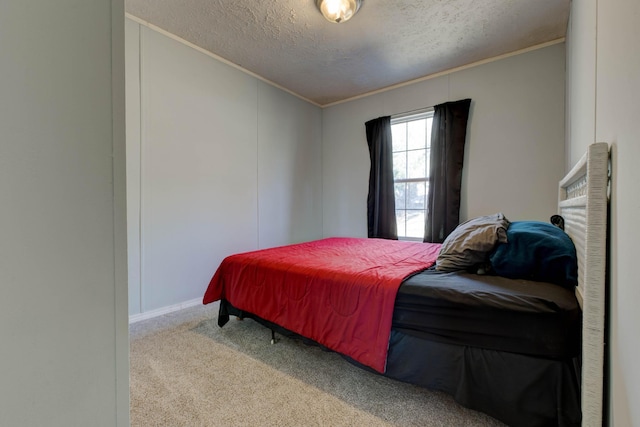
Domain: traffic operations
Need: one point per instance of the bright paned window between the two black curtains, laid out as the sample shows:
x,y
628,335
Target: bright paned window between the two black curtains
x,y
411,136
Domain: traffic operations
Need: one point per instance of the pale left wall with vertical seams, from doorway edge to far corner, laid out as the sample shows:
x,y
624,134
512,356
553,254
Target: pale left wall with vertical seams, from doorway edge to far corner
x,y
226,163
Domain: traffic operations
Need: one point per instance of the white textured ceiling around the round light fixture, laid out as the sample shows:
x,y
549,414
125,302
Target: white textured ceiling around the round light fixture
x,y
389,42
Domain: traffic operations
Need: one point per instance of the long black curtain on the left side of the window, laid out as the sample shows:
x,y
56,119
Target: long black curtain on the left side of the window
x,y
381,203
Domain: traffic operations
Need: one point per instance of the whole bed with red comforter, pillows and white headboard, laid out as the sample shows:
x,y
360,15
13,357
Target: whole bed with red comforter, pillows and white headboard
x,y
526,349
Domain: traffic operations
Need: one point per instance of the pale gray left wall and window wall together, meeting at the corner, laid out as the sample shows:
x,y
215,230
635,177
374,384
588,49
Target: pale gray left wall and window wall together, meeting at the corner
x,y
221,162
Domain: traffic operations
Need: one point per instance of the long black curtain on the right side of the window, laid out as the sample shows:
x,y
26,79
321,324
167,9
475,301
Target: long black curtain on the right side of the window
x,y
445,178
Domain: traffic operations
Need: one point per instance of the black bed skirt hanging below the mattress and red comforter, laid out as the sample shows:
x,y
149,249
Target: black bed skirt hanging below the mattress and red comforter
x,y
519,390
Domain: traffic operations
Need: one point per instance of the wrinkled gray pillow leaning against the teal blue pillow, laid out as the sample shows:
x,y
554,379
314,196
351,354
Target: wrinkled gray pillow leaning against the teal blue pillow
x,y
471,242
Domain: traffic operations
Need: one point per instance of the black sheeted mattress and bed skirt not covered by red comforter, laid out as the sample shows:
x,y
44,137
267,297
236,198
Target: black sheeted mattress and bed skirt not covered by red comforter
x,y
506,347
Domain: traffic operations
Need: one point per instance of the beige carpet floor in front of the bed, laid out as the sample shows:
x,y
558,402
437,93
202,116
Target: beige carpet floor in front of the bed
x,y
186,371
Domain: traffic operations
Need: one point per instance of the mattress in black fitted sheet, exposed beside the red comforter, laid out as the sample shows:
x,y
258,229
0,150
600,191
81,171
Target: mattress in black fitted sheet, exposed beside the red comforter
x,y
519,316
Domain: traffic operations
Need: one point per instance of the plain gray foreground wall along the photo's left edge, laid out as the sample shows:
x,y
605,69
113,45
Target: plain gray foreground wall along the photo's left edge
x,y
63,309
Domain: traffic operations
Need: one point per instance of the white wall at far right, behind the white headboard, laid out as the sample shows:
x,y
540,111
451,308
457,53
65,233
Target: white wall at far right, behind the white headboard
x,y
609,31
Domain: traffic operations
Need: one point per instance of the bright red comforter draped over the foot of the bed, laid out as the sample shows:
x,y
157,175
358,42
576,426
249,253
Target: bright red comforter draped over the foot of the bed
x,y
339,292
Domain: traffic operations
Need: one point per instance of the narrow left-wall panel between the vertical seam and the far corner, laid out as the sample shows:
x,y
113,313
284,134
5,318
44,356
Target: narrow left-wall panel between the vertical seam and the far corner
x,y
289,168
